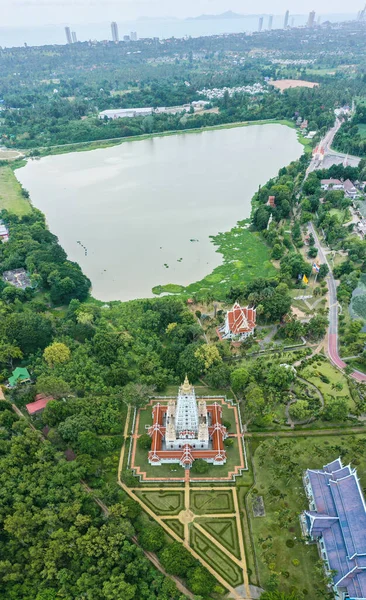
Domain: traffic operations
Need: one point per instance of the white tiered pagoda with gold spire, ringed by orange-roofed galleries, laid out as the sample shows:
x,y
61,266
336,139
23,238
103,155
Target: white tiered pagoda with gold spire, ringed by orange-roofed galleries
x,y
186,429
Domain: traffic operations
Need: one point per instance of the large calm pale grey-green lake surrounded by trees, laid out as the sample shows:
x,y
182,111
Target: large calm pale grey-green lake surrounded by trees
x,y
128,214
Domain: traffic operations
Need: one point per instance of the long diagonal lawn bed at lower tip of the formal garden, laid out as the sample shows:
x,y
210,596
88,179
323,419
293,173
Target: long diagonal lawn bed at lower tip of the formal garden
x,y
216,558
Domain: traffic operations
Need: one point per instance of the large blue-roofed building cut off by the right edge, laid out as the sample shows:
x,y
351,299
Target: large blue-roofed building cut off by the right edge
x,y
337,521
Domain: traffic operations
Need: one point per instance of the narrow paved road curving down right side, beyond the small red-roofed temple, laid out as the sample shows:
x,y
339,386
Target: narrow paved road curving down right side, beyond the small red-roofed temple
x,y
333,312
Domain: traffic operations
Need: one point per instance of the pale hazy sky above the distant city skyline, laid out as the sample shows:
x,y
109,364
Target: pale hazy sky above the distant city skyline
x,y
42,12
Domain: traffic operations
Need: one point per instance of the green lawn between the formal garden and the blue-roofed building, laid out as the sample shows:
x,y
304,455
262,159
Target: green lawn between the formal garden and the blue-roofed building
x,y
279,465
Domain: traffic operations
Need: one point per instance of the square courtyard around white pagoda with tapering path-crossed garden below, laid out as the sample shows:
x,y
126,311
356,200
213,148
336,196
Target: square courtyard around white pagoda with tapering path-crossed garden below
x,y
200,510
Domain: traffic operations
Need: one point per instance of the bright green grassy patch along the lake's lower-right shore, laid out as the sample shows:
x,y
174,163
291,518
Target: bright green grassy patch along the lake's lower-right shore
x,y
245,257
